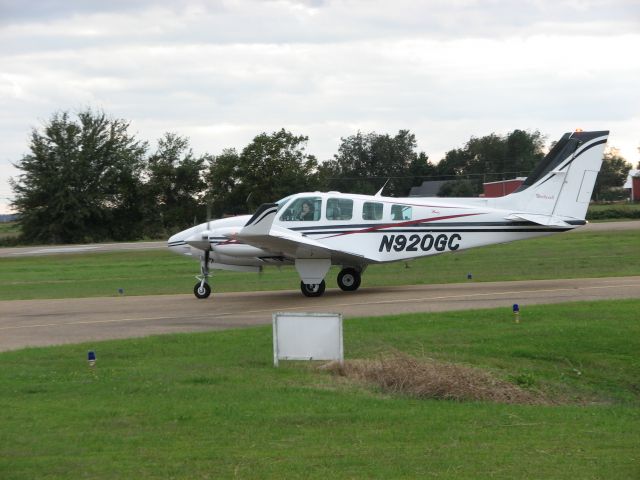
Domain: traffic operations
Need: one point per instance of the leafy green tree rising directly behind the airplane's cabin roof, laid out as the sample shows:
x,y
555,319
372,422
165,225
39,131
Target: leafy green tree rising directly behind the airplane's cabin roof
x,y
366,161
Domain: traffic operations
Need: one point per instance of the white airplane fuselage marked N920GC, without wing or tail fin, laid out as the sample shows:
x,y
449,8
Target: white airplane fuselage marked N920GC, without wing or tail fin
x,y
377,229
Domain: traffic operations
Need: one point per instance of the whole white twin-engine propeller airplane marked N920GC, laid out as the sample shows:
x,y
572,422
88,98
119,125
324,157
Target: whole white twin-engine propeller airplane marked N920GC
x,y
315,230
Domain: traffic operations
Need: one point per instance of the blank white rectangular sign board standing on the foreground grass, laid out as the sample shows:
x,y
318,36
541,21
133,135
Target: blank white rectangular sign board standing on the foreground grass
x,y
307,336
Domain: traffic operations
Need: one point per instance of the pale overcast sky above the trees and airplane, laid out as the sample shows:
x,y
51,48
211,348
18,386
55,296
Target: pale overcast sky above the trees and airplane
x,y
222,71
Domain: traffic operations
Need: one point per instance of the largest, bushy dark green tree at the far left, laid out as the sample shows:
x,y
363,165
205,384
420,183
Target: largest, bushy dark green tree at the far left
x,y
80,181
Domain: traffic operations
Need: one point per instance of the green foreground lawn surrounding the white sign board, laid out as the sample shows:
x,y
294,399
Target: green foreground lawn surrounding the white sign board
x,y
213,406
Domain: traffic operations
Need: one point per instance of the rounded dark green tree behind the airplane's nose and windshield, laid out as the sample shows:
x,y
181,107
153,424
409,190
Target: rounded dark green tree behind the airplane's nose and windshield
x,y
272,166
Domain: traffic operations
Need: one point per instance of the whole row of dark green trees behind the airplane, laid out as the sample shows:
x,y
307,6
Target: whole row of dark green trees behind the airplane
x,y
87,178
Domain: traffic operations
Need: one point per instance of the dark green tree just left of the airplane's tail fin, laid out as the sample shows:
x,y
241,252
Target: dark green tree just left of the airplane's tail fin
x,y
494,157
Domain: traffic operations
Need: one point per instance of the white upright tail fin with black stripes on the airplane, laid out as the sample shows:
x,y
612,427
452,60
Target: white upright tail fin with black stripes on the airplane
x,y
561,185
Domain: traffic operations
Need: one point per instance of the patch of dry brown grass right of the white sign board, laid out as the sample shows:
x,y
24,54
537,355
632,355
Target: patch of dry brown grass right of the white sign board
x,y
402,374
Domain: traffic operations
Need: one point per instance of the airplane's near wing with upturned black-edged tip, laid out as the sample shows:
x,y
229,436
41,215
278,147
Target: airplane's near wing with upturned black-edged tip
x,y
260,232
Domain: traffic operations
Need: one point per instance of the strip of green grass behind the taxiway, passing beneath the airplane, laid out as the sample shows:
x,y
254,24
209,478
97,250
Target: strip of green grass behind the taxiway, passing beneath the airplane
x,y
588,254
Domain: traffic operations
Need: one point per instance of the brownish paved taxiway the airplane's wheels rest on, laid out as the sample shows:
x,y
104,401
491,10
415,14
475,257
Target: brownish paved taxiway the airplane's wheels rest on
x,y
49,322
